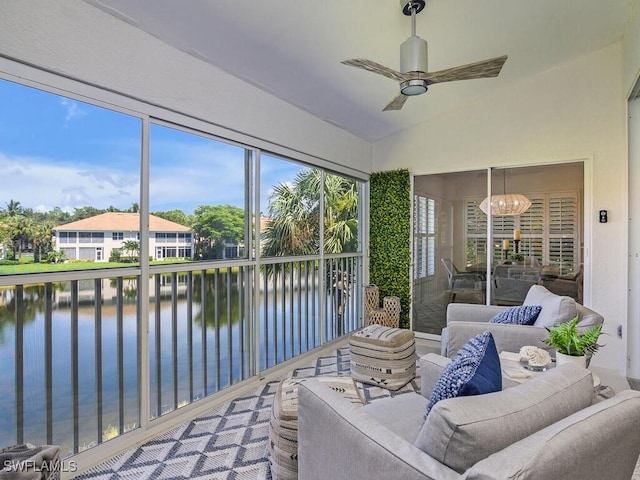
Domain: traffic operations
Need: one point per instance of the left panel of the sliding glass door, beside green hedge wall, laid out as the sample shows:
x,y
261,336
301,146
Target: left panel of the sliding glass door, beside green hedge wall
x,y
449,266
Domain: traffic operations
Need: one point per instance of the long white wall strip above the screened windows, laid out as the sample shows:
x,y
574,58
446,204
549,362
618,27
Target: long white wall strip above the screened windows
x,y
83,42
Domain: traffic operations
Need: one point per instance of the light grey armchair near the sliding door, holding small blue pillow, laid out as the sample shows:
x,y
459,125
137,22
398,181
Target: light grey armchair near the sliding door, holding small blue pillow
x,y
465,321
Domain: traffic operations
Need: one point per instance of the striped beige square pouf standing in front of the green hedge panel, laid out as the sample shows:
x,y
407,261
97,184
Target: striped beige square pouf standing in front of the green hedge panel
x,y
383,356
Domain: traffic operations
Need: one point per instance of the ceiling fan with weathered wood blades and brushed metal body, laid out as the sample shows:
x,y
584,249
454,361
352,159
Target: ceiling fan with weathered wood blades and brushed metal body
x,y
413,76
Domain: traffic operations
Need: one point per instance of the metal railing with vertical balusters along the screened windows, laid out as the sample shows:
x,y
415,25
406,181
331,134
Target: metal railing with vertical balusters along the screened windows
x,y
71,345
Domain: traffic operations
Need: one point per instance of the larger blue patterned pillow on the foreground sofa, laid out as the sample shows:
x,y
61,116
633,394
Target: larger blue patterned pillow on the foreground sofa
x,y
473,371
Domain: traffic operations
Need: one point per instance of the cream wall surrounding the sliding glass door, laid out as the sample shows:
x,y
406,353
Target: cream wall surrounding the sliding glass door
x,y
575,111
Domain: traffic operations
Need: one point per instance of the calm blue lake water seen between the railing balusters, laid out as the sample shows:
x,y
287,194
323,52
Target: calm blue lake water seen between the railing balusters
x,y
282,335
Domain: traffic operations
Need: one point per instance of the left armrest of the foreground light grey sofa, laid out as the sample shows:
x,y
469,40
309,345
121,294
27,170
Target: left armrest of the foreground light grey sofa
x,y
338,440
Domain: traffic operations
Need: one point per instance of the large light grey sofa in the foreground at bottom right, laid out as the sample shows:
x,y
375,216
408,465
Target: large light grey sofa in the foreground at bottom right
x,y
546,427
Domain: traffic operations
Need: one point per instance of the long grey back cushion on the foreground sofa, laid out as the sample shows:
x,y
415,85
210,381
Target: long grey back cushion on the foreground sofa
x,y
459,432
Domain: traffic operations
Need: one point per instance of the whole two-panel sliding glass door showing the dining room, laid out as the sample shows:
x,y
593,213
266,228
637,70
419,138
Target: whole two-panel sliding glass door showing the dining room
x,y
455,259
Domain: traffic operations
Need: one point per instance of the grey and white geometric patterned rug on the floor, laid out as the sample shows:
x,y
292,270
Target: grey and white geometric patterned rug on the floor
x,y
229,442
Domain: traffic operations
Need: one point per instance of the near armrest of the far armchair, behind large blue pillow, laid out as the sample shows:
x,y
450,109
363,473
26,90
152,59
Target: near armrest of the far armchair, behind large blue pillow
x,y
509,338
